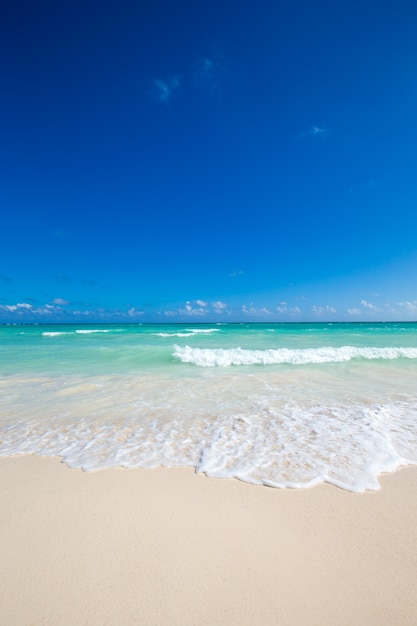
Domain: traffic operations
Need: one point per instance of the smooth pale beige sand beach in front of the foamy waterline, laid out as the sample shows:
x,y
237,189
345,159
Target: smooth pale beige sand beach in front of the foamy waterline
x,y
167,547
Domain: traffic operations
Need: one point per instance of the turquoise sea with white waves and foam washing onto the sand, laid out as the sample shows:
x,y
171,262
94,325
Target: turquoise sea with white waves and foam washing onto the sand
x,y
281,405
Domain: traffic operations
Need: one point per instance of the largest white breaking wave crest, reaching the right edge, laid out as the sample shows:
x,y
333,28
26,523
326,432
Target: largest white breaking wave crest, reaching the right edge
x,y
209,357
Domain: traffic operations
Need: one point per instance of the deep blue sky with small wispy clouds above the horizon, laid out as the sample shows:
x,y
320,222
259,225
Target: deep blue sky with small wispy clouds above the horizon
x,y
208,161
